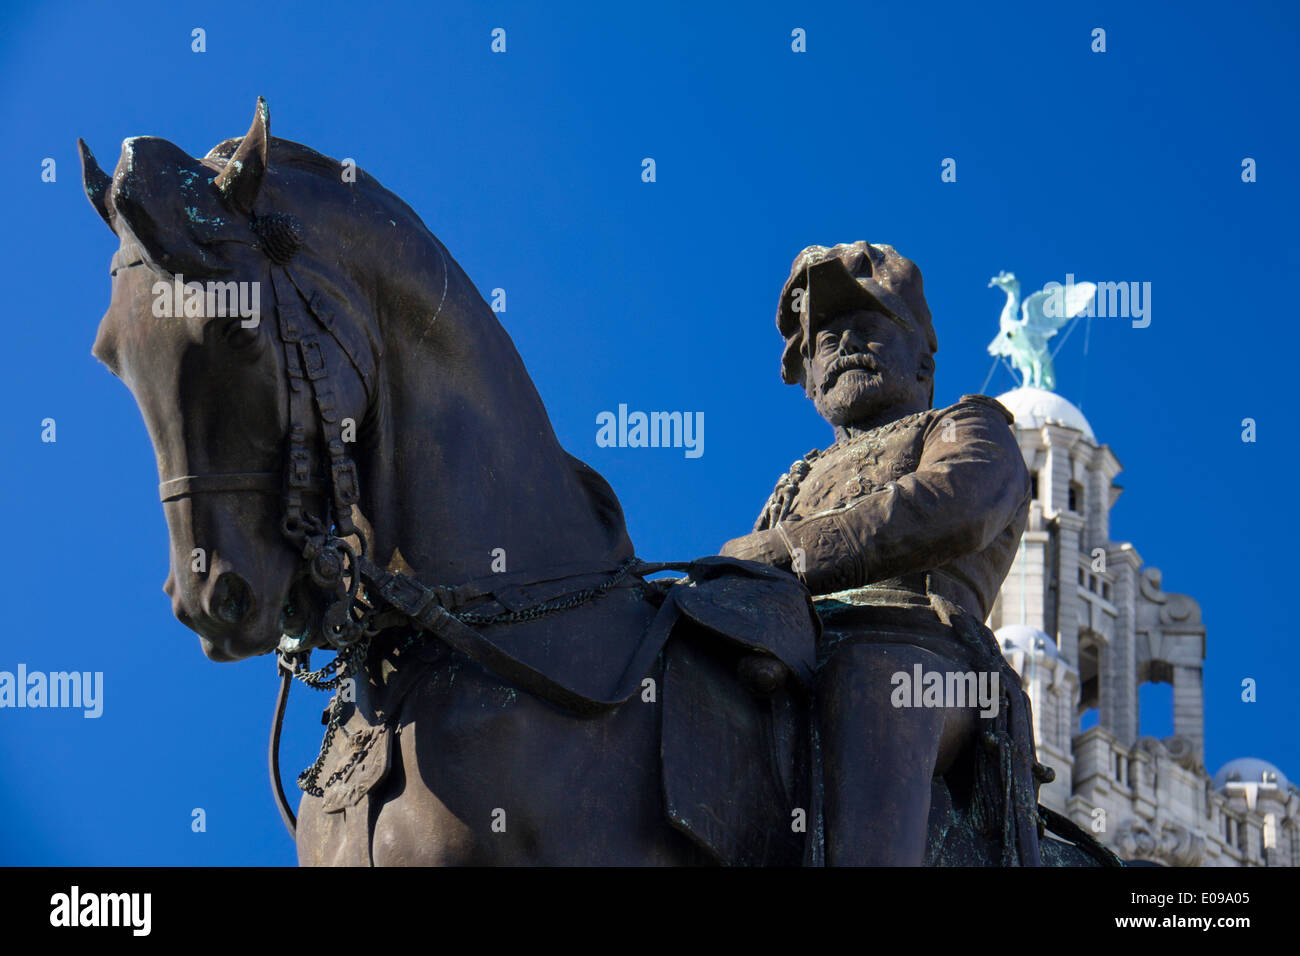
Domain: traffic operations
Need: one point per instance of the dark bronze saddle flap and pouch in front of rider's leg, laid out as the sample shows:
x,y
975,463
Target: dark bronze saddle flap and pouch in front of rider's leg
x,y
736,720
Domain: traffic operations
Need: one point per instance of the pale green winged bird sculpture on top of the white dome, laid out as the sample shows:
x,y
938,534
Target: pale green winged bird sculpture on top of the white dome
x,y
1025,341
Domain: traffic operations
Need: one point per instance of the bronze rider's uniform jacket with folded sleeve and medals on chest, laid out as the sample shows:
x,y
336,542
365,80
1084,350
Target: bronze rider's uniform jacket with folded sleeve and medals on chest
x,y
934,501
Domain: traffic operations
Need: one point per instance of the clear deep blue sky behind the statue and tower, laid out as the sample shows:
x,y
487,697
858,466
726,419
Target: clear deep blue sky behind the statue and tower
x,y
1121,166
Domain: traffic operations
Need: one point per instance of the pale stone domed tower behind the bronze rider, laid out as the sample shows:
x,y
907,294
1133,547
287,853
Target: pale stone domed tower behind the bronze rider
x,y
1085,624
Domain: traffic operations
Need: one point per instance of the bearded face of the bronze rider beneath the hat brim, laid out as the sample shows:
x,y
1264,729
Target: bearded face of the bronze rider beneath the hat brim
x,y
863,365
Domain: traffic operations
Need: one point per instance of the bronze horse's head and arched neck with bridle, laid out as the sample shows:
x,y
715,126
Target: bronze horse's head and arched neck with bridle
x,y
361,367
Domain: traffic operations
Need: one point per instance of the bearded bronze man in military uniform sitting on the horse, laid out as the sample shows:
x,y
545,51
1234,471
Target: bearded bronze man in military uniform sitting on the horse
x,y
904,531
